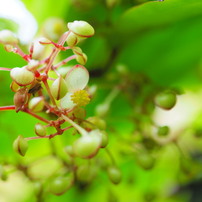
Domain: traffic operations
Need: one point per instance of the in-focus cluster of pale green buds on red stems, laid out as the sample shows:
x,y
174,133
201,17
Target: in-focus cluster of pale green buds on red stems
x,y
56,88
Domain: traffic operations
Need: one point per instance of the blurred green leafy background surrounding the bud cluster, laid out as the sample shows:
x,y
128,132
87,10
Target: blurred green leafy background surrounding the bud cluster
x,y
144,47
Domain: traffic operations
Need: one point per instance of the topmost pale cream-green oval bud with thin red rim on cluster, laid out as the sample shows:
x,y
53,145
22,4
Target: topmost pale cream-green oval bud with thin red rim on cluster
x,y
81,28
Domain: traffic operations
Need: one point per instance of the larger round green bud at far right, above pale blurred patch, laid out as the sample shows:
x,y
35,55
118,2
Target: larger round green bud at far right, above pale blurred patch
x,y
166,100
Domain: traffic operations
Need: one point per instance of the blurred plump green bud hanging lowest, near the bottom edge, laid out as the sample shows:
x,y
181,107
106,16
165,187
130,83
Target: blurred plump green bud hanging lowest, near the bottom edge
x,y
60,185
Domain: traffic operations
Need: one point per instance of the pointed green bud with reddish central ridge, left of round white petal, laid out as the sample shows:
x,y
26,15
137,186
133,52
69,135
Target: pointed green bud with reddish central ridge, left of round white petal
x,y
59,88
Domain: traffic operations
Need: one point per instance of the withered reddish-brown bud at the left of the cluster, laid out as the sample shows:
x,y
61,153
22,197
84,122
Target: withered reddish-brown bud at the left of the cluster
x,y
20,98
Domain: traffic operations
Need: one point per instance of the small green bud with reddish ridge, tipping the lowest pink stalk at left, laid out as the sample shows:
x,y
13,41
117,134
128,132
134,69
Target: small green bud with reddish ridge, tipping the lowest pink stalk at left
x,y
20,145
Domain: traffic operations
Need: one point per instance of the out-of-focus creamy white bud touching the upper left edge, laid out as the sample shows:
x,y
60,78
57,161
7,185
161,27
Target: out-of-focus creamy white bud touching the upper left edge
x,y
8,37
